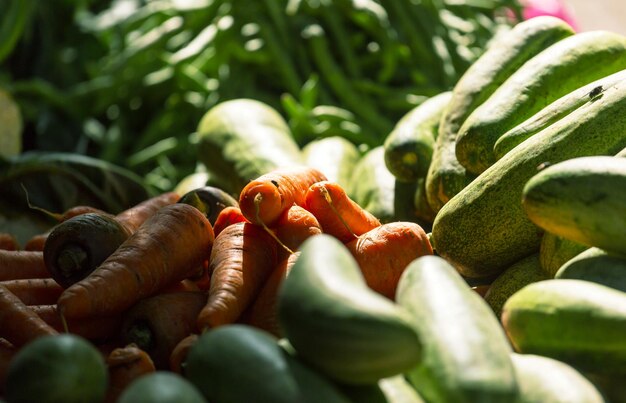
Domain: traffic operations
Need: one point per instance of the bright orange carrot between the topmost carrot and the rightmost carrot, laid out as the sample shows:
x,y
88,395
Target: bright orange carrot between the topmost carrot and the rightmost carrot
x,y
337,214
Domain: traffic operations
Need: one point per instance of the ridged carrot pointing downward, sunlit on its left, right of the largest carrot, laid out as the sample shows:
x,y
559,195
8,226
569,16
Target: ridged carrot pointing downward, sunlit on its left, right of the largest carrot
x,y
242,258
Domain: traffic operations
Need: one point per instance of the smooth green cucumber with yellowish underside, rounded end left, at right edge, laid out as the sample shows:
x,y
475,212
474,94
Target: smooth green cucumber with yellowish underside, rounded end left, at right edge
x,y
582,199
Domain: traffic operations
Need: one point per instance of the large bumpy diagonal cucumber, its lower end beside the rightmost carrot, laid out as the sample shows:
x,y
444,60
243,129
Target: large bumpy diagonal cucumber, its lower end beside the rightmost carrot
x,y
484,229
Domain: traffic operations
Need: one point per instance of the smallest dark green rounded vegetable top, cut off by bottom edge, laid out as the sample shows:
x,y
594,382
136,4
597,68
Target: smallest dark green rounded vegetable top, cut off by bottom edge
x,y
161,387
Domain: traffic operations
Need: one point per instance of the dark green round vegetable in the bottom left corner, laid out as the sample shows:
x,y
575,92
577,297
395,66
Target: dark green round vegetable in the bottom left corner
x,y
57,369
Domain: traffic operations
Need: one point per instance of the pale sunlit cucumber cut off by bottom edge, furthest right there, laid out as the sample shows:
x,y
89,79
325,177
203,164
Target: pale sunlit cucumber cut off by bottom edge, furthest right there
x,y
546,380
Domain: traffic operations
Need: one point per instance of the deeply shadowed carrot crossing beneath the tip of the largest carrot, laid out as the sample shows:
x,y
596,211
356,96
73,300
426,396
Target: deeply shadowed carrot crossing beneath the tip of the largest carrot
x,y
94,328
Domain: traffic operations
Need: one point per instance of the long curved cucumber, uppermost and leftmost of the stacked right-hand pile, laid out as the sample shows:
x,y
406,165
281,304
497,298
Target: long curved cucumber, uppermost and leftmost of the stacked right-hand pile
x,y
446,176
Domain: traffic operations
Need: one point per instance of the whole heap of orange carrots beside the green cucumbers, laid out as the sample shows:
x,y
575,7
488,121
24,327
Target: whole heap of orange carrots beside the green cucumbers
x,y
177,274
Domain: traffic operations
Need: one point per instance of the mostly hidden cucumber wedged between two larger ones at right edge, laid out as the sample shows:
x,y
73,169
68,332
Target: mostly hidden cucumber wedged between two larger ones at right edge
x,y
598,266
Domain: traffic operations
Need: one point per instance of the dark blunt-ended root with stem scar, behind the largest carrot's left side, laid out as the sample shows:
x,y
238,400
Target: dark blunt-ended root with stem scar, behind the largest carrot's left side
x,y
78,245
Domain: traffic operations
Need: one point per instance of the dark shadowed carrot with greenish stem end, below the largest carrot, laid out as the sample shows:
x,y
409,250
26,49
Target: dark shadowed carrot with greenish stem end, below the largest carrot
x,y
156,324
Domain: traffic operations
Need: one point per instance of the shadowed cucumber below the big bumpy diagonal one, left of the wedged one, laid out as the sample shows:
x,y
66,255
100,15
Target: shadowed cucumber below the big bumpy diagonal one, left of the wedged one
x,y
519,274
